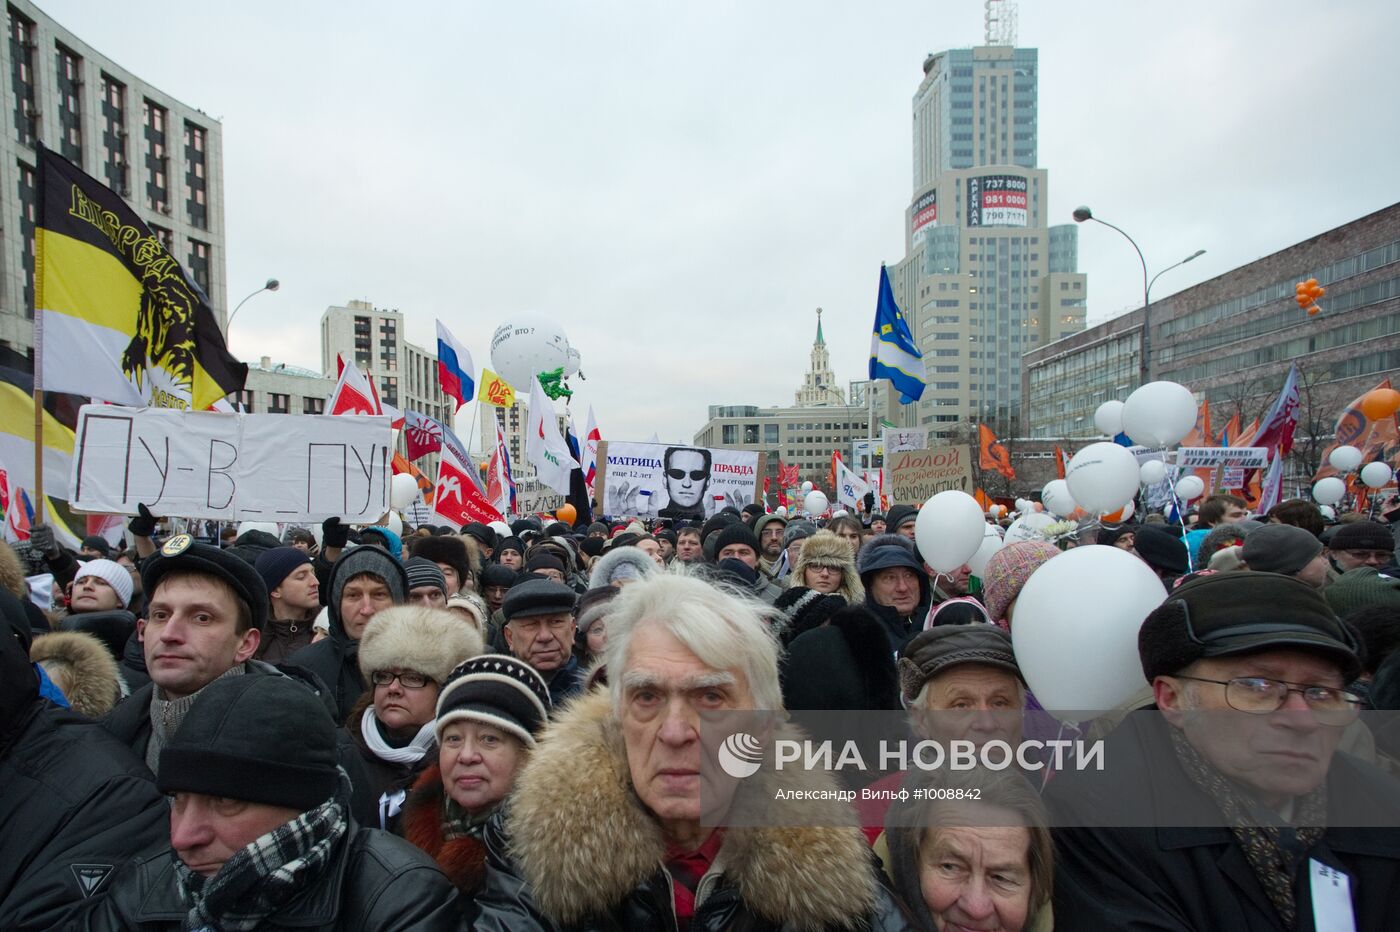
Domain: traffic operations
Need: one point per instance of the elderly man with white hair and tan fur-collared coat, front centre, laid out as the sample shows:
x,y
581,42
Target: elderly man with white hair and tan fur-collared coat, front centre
x,y
605,825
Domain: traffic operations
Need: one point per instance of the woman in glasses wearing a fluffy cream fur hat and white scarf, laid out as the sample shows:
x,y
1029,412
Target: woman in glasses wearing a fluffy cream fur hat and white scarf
x,y
405,656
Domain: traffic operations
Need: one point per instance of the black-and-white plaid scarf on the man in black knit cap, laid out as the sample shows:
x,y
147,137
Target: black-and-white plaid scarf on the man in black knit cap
x,y
269,873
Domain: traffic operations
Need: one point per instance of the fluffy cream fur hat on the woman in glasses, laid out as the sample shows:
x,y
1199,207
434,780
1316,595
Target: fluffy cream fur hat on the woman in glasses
x,y
411,637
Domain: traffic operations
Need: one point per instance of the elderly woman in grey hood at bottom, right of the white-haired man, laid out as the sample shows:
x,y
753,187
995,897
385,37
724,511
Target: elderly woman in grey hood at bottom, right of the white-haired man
x,y
972,866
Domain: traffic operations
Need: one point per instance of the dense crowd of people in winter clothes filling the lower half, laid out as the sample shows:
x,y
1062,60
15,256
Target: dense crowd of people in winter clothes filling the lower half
x,y
499,728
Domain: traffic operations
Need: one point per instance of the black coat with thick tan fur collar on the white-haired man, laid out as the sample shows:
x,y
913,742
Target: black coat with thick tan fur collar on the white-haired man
x,y
577,852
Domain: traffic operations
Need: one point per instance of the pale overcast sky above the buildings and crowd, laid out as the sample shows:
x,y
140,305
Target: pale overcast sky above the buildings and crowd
x,y
681,188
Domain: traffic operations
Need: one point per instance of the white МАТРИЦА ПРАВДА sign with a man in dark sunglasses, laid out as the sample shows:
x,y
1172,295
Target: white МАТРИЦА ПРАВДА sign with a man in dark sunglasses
x,y
656,481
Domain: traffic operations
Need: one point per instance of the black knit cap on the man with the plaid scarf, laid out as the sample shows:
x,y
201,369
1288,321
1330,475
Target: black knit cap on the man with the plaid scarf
x,y
257,738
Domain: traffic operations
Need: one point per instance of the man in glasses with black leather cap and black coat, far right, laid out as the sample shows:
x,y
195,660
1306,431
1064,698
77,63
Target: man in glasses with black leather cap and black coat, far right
x,y
1230,808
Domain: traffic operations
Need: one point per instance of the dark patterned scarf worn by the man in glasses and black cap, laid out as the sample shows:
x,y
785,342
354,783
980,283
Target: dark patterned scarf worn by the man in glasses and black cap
x,y
1272,847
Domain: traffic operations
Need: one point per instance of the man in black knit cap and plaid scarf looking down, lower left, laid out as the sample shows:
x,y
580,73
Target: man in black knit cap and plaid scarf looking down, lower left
x,y
261,833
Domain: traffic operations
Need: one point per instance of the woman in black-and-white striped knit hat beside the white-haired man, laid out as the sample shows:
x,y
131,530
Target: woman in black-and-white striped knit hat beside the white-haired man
x,y
488,719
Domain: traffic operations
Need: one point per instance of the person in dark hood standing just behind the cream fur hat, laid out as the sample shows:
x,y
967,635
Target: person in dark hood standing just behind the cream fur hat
x,y
363,583
